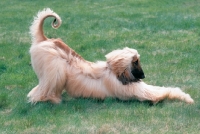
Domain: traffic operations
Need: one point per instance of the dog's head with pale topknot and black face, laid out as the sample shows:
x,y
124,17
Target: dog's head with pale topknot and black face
x,y
125,64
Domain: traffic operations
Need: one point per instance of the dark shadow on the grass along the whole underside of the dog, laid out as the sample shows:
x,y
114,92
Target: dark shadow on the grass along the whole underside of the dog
x,y
81,105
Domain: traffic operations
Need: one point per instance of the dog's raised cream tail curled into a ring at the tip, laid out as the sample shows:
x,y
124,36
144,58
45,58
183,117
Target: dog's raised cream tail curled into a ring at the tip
x,y
36,29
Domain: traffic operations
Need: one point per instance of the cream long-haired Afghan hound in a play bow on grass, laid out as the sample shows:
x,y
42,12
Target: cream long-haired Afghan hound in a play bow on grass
x,y
59,68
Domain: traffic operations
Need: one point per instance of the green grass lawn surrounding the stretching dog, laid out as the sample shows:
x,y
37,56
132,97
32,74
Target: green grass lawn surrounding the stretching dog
x,y
166,33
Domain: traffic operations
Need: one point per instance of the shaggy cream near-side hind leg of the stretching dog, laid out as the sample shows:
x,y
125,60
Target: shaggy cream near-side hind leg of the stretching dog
x,y
51,82
